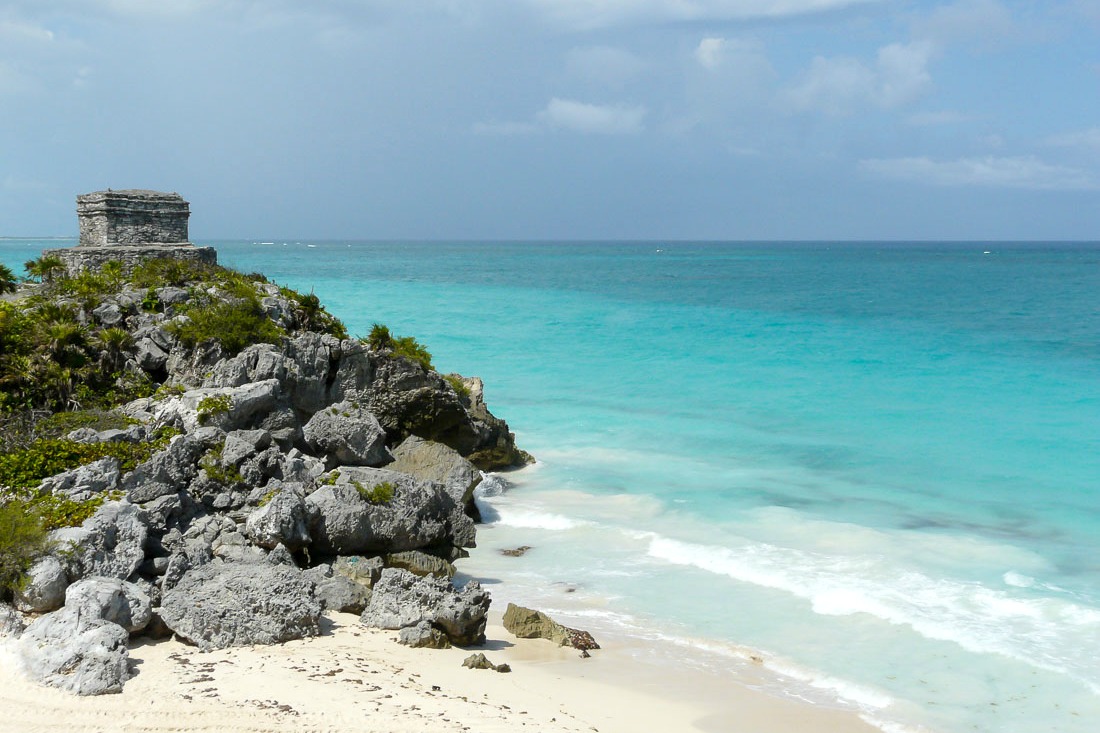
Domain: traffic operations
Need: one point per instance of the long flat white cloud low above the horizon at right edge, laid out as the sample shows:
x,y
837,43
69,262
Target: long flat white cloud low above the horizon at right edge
x,y
1026,173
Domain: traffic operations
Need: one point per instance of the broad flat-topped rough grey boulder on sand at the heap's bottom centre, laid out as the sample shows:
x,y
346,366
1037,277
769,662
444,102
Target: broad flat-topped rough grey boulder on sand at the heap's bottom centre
x,y
219,606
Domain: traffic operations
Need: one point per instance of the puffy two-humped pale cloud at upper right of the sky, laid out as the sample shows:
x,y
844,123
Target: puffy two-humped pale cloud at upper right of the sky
x,y
840,86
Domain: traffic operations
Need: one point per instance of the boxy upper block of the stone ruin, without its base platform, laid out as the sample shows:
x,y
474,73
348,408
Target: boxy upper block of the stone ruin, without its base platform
x,y
133,217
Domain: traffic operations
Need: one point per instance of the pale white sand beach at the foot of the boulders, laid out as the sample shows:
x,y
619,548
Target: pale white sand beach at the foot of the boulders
x,y
354,680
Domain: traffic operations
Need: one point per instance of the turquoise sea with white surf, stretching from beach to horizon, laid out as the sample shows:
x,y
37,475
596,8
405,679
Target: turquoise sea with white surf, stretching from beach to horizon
x,y
875,465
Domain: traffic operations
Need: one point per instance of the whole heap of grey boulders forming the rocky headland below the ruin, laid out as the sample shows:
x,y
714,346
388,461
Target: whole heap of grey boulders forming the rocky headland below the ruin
x,y
271,504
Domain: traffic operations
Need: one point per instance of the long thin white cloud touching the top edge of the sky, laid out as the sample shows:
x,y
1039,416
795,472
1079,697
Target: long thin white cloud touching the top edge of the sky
x,y
603,14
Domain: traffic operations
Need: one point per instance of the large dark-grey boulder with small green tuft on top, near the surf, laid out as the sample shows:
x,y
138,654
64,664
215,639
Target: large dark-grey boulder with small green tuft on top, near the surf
x,y
420,515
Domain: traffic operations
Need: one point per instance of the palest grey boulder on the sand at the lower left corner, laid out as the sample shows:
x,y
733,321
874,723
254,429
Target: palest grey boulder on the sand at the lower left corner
x,y
79,654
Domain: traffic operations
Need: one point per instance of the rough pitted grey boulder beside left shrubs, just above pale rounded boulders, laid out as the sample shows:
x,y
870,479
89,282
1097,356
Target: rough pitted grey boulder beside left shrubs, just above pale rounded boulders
x,y
111,543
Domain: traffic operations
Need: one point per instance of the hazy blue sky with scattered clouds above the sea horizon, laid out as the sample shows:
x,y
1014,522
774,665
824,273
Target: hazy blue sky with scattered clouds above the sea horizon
x,y
559,119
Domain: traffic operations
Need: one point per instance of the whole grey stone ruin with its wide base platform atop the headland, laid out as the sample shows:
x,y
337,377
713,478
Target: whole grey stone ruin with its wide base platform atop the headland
x,y
131,226
